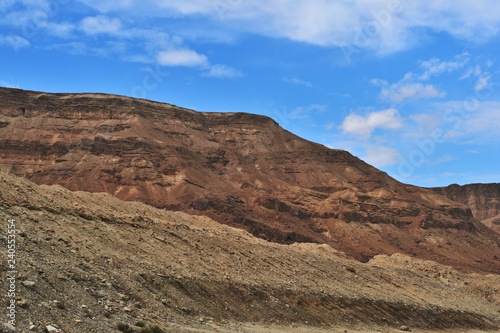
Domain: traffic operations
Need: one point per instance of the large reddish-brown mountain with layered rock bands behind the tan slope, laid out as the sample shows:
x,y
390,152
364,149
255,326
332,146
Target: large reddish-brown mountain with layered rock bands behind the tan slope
x,y
239,169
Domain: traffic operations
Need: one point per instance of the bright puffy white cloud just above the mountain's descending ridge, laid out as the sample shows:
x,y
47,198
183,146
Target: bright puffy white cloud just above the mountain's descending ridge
x,y
363,126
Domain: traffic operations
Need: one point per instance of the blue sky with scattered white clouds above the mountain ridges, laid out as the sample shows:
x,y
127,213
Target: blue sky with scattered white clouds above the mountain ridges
x,y
411,87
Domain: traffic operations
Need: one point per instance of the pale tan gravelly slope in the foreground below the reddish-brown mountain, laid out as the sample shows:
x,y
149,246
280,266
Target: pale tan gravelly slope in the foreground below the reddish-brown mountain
x,y
88,262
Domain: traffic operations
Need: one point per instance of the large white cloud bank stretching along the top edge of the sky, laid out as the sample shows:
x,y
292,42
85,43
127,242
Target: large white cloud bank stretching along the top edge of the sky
x,y
374,24
